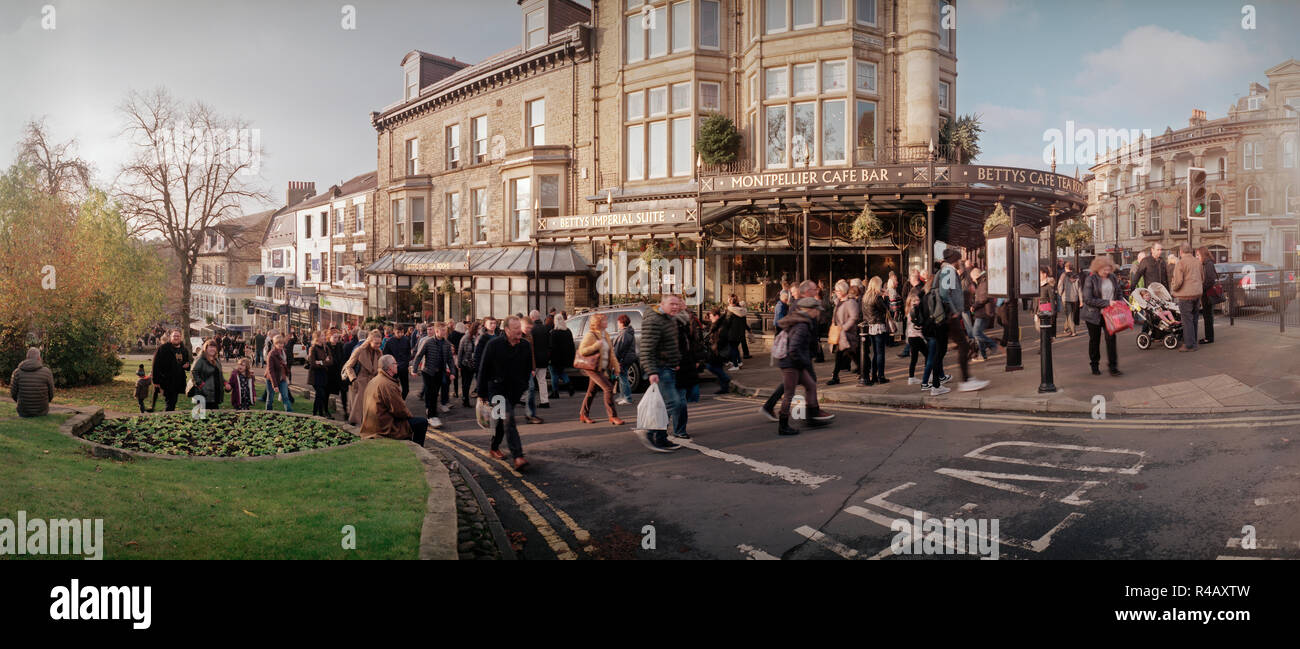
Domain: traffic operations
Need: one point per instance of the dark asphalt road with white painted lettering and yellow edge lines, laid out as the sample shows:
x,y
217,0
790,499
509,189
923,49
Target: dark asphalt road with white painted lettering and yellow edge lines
x,y
1059,488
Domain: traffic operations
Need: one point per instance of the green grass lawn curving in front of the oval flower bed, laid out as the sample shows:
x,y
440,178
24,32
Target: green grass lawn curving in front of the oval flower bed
x,y
153,509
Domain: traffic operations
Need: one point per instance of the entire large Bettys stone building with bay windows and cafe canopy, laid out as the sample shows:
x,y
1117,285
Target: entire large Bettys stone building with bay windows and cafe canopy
x,y
553,174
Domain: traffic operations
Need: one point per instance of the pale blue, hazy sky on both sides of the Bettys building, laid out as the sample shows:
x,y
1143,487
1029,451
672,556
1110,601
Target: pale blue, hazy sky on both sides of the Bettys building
x,y
291,68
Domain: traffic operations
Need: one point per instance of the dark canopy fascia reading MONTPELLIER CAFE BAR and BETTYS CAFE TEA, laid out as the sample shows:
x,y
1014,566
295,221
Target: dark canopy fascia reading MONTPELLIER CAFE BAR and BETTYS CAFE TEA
x,y
894,178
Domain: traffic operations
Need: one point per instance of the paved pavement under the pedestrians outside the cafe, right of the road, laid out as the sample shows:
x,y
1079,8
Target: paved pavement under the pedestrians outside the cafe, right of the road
x,y
1249,367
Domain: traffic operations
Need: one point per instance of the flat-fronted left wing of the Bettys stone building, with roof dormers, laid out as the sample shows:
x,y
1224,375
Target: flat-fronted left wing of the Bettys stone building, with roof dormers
x,y
470,161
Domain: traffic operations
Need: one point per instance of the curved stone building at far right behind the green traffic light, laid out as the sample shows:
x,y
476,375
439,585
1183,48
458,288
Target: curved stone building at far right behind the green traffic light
x,y
1139,194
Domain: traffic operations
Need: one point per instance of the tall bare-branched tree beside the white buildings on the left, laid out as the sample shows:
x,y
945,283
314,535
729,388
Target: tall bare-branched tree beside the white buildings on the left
x,y
192,170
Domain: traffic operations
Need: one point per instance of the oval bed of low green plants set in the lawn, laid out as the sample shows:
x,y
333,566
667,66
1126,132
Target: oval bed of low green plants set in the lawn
x,y
226,435
